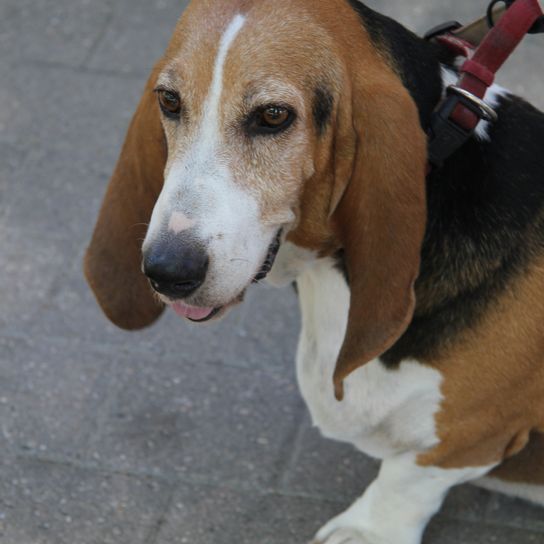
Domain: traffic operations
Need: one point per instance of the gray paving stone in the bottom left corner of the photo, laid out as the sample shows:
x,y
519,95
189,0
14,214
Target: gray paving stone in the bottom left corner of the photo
x,y
48,503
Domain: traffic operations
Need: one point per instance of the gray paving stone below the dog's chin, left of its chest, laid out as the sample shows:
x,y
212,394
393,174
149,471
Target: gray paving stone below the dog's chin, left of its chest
x,y
196,420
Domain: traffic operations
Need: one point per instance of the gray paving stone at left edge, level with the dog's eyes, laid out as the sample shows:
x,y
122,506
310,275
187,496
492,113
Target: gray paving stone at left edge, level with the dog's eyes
x,y
70,156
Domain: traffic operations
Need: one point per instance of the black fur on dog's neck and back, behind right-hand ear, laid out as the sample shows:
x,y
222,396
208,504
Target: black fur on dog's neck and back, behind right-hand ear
x,y
484,205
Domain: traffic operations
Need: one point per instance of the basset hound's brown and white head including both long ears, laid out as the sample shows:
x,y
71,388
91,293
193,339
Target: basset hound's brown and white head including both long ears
x,y
261,118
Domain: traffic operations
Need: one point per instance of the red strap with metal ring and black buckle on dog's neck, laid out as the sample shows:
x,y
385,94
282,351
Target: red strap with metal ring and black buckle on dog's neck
x,y
458,115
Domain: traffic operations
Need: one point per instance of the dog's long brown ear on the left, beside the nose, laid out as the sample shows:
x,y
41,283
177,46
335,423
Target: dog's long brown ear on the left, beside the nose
x,y
113,260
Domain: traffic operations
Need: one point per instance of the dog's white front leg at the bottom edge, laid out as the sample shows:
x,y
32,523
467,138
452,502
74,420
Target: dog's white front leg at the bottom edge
x,y
397,506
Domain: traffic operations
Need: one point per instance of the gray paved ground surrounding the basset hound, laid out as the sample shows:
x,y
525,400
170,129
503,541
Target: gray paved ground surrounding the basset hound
x,y
178,434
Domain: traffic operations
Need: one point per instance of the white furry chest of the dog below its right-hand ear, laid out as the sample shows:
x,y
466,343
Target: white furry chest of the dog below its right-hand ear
x,y
384,411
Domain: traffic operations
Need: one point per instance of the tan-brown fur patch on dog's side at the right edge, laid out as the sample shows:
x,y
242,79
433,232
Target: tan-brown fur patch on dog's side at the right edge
x,y
493,378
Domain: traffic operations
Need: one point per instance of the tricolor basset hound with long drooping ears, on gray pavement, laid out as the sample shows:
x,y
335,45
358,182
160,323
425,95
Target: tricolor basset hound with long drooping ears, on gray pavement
x,y
293,133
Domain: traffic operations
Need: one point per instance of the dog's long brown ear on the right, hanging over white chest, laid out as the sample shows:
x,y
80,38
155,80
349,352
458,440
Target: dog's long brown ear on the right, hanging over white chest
x,y
380,220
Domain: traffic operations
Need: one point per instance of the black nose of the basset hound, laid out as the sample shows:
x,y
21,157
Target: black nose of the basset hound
x,y
175,268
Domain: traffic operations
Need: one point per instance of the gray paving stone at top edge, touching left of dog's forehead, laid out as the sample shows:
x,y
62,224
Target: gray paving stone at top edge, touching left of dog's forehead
x,y
129,45
